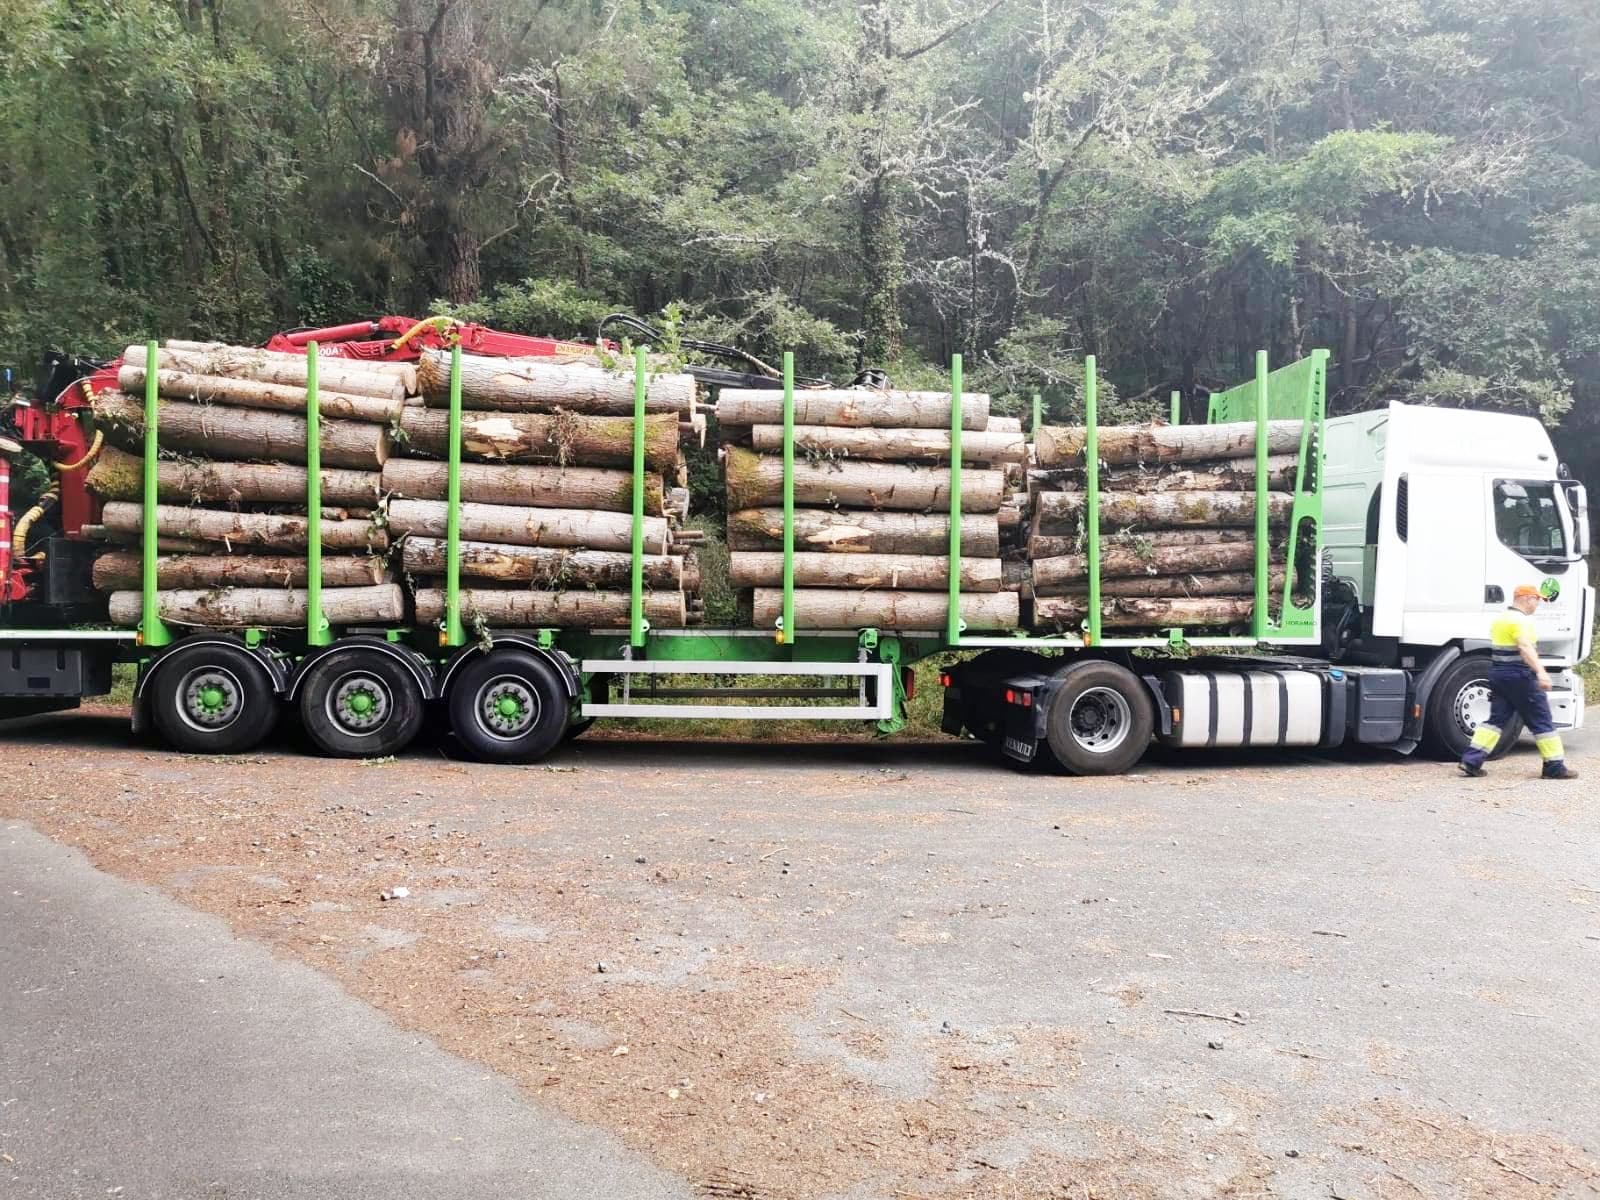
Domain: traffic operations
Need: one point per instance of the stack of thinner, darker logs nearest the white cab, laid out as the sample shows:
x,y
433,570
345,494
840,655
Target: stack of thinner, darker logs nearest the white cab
x,y
1177,516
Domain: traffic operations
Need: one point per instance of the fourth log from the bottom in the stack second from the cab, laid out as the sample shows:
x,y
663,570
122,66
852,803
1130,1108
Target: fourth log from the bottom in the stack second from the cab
x,y
759,479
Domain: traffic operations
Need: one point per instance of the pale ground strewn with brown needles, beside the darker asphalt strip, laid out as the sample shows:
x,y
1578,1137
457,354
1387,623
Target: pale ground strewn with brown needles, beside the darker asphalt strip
x,y
874,970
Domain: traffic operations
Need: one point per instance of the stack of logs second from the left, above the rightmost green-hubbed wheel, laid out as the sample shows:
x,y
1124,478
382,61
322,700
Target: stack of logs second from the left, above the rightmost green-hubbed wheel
x,y
546,495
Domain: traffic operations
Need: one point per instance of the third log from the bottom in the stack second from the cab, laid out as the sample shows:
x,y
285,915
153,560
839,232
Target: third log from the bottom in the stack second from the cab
x,y
863,532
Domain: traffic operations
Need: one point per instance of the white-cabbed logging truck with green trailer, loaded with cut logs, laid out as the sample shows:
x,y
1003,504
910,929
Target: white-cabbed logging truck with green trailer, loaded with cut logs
x,y
1364,562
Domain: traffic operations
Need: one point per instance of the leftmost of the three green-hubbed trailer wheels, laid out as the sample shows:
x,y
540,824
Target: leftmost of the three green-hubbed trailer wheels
x,y
214,700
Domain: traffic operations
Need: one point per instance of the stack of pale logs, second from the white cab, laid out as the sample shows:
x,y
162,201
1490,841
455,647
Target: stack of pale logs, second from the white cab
x,y
873,498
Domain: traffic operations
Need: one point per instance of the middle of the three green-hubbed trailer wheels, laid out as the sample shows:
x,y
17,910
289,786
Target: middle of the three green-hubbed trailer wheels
x,y
361,703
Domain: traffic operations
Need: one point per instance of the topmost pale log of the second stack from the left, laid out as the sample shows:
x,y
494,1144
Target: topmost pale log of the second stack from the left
x,y
519,385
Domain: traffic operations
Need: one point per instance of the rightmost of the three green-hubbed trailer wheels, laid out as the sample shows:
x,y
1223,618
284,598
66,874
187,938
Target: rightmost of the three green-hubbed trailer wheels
x,y
510,708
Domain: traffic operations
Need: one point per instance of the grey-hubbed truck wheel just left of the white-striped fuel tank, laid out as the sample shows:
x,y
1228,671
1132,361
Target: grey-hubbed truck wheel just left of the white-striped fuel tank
x,y
1100,719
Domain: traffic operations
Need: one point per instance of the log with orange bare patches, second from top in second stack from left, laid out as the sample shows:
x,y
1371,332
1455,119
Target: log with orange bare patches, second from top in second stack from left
x,y
545,438
